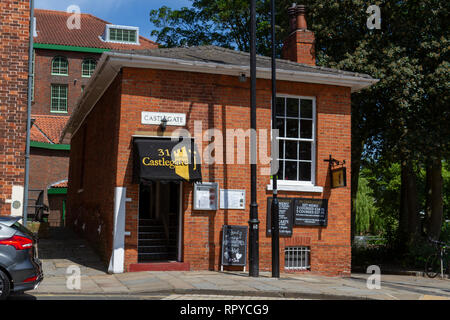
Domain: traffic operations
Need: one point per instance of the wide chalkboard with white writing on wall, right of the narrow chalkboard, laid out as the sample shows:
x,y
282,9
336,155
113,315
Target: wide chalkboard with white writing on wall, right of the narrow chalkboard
x,y
310,212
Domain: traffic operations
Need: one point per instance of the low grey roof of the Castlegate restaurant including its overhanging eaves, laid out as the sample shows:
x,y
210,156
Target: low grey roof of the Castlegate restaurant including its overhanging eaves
x,y
203,59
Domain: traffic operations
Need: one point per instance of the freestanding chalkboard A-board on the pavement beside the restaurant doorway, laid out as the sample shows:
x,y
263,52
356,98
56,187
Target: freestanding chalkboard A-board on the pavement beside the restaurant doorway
x,y
234,246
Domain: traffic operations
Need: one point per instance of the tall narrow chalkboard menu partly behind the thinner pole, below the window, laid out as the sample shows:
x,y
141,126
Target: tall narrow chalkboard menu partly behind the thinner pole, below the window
x,y
286,206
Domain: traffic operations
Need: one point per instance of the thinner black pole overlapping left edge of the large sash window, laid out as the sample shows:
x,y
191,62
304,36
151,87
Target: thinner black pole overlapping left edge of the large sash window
x,y
275,205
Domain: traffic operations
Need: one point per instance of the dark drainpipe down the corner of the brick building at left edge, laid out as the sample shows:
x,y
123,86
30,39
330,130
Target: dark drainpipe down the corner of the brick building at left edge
x,y
30,88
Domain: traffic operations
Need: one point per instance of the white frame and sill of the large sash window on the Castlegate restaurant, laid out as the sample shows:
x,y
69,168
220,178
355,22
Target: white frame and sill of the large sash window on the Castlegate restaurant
x,y
302,186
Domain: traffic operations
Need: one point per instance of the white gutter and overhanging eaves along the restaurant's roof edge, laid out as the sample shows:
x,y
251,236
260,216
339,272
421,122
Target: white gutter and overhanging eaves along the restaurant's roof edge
x,y
104,76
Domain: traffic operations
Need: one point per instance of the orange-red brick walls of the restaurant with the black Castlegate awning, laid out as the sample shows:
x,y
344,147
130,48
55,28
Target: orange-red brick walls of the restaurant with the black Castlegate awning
x,y
223,102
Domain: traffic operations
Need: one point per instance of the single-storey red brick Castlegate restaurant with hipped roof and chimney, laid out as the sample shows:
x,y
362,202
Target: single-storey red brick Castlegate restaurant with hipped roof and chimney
x,y
139,208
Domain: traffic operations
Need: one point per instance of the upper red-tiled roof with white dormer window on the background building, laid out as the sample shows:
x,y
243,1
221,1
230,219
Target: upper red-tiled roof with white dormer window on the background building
x,y
51,27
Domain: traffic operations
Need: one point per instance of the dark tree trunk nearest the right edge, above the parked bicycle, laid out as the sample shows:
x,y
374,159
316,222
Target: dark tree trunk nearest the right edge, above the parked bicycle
x,y
437,208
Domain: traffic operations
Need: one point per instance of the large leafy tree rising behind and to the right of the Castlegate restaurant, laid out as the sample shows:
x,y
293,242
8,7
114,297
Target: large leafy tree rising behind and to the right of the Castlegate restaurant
x,y
403,119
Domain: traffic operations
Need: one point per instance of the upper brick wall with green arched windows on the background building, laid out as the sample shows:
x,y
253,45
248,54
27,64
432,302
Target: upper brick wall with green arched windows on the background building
x,y
44,78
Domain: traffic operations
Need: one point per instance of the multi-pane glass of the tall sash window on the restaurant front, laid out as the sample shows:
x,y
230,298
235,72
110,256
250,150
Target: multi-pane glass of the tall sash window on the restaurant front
x,y
295,118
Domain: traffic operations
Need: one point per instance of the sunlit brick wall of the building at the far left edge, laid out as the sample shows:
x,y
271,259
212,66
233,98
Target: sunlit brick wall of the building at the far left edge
x,y
14,35
